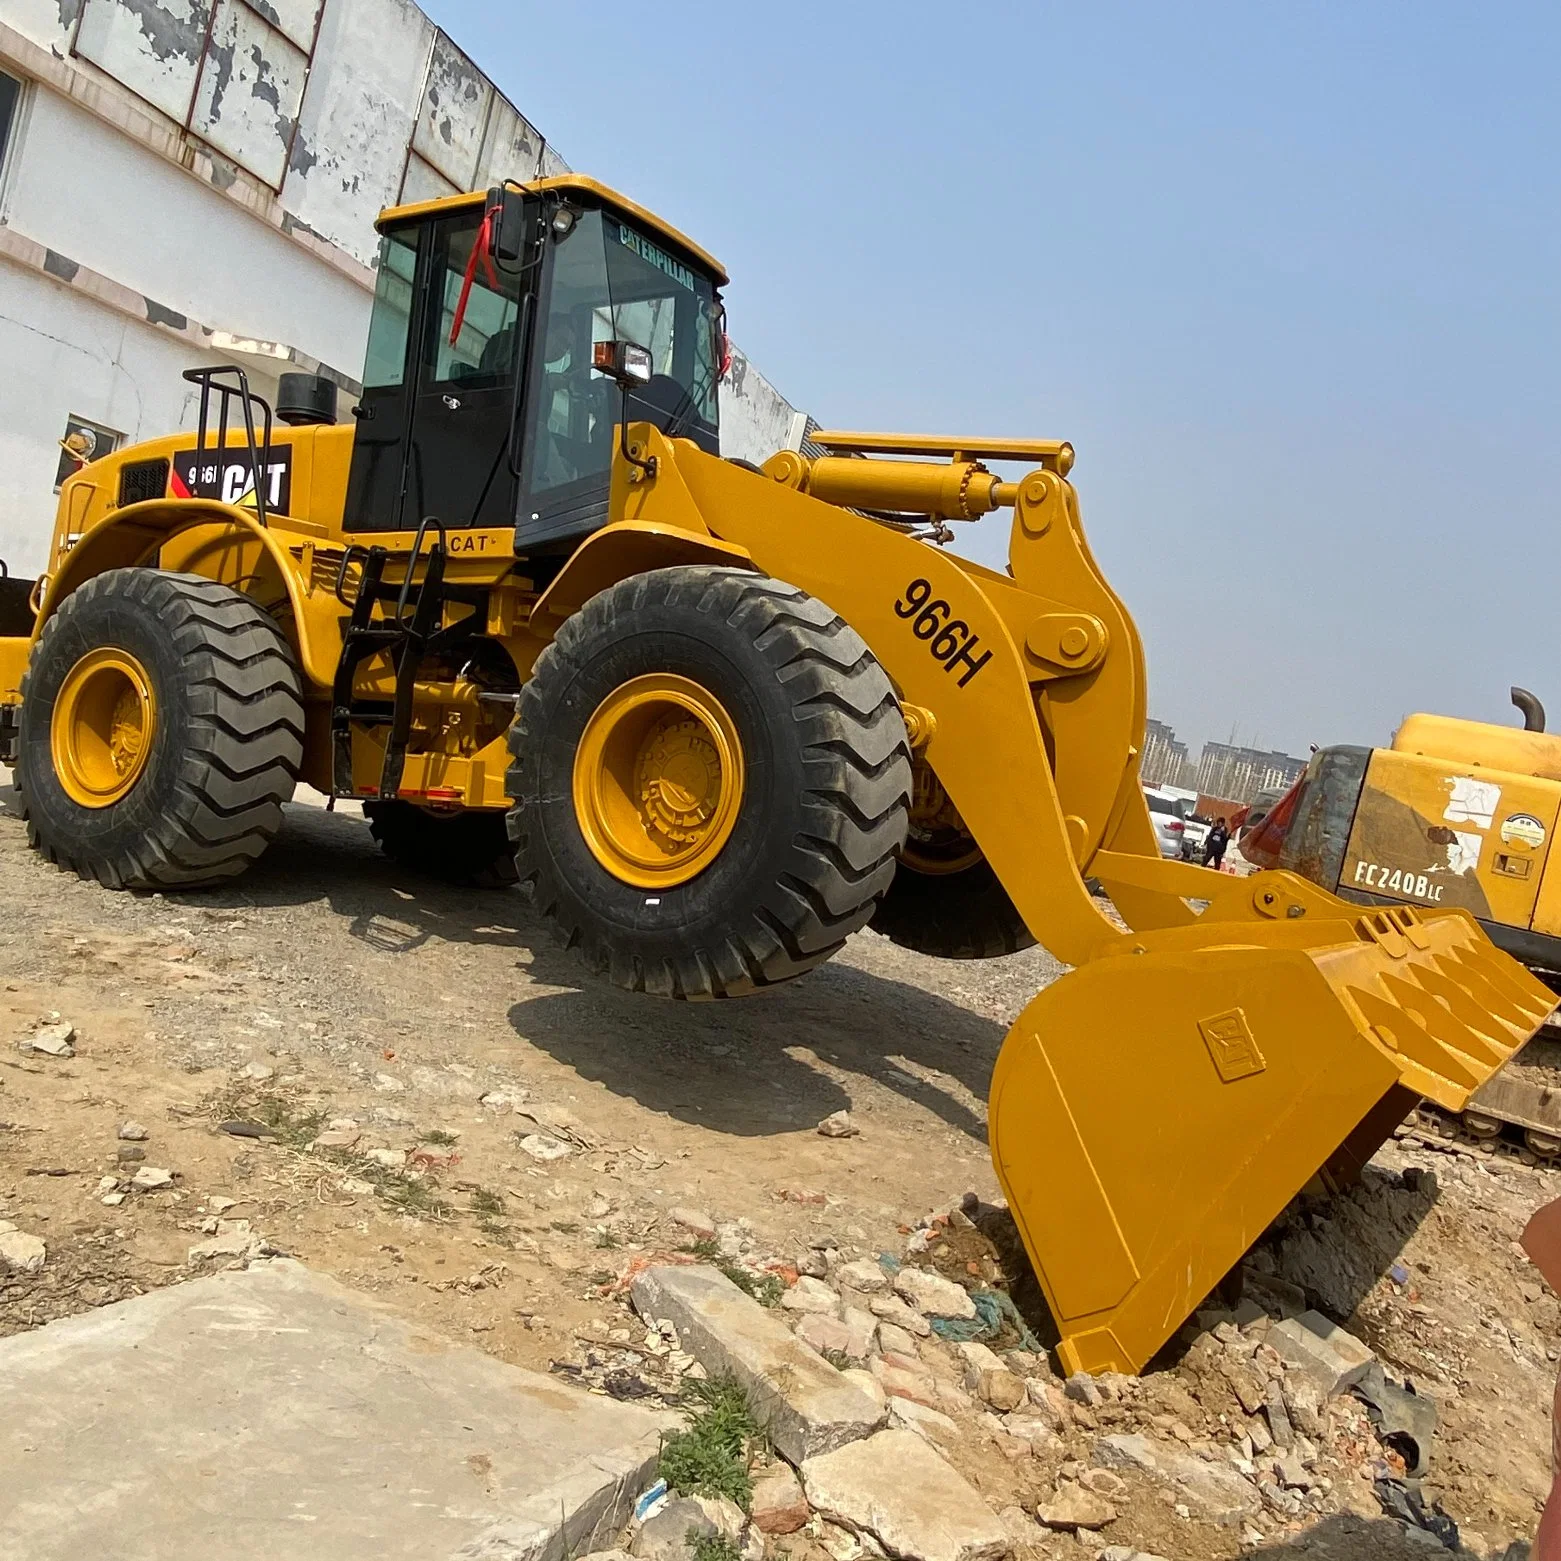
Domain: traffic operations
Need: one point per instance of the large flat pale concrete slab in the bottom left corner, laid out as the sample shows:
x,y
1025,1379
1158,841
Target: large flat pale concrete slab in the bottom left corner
x,y
274,1412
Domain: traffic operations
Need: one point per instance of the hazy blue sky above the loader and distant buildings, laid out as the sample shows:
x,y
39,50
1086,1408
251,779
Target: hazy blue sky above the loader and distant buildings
x,y
1285,276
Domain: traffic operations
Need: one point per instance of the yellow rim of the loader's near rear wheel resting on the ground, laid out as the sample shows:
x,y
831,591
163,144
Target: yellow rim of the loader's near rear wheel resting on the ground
x,y
101,734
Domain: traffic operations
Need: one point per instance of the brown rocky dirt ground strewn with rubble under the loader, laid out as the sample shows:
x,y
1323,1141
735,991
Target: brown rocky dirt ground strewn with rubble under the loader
x,y
408,1087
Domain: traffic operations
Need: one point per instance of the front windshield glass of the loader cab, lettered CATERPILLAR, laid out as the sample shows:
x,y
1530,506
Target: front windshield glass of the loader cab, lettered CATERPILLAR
x,y
613,283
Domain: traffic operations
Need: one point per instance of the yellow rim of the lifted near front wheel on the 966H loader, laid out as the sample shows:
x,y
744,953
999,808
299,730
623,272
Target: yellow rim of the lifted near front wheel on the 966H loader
x,y
658,781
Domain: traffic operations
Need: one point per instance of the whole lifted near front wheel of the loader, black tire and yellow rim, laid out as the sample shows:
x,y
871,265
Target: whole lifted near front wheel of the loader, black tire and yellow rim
x,y
713,783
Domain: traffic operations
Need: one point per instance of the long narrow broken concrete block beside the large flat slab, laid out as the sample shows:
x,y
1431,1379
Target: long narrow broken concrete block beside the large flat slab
x,y
802,1401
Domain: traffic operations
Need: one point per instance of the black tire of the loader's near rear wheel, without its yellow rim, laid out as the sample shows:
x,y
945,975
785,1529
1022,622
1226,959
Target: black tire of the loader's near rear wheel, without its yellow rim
x,y
226,748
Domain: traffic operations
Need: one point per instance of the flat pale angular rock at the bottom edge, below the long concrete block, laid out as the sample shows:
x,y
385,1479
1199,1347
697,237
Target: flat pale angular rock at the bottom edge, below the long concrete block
x,y
898,1490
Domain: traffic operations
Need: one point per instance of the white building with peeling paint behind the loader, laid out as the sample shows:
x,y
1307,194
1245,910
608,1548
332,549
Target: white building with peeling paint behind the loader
x,y
194,182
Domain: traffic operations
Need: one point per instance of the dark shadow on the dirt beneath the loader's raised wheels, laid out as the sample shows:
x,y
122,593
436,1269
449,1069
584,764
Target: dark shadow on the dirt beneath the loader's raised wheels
x,y
772,1064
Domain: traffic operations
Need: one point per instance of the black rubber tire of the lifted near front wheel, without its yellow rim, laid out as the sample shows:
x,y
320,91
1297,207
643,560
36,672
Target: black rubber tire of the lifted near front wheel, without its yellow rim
x,y
823,811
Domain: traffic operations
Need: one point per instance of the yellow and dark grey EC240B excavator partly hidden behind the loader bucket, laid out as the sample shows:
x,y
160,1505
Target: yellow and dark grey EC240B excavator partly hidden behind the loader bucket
x,y
1451,814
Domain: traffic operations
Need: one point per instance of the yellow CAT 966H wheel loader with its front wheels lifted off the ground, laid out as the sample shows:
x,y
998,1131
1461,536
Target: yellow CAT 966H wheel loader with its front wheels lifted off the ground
x,y
730,717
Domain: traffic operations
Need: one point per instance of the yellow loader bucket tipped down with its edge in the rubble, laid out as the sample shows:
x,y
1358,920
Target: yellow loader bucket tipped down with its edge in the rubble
x,y
1153,1112
